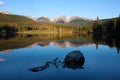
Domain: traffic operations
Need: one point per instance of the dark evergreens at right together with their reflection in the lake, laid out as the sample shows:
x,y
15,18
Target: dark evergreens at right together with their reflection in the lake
x,y
107,32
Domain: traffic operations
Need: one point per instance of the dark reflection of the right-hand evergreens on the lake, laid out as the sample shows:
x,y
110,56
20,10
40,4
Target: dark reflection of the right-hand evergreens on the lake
x,y
109,40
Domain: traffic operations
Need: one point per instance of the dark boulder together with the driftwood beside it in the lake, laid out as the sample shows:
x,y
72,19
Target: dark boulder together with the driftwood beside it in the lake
x,y
73,60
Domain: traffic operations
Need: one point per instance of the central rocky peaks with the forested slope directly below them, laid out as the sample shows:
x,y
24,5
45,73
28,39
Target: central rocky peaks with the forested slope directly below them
x,y
75,20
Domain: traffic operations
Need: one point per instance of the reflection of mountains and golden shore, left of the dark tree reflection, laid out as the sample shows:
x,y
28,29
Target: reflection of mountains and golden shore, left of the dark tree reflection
x,y
44,40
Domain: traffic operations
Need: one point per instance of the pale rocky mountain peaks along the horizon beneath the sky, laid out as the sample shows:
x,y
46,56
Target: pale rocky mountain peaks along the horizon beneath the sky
x,y
60,19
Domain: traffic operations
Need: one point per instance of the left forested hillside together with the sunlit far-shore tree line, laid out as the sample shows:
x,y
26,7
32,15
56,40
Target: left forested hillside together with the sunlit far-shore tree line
x,y
20,24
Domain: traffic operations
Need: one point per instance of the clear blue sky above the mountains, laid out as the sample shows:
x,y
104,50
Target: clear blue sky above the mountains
x,y
55,8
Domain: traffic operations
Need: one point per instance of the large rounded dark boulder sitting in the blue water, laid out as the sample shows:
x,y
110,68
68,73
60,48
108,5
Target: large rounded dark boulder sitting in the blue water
x,y
74,60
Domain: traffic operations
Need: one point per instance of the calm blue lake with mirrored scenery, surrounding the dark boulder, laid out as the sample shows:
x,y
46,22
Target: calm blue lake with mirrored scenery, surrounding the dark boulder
x,y
22,56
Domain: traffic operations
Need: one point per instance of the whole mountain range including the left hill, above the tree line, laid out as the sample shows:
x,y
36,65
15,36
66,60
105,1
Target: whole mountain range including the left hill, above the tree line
x,y
8,17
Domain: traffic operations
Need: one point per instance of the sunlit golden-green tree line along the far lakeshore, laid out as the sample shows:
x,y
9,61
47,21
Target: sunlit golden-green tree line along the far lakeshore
x,y
42,26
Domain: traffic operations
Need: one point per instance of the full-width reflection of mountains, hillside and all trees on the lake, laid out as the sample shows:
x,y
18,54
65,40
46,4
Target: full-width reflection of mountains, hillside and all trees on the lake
x,y
75,40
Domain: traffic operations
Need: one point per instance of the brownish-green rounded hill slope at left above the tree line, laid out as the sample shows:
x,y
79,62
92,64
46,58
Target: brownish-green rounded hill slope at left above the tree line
x,y
10,18
